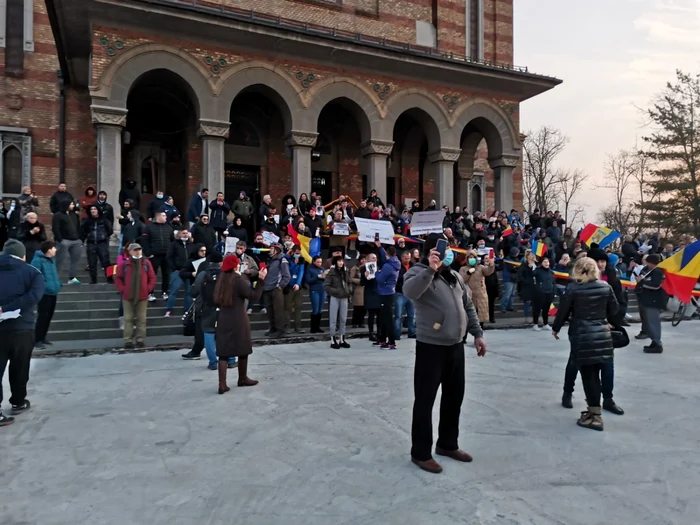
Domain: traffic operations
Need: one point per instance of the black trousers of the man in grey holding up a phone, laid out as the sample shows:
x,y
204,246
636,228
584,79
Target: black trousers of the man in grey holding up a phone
x,y
435,366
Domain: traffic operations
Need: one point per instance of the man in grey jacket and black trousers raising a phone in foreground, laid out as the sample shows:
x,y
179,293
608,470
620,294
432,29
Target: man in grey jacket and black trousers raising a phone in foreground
x,y
444,316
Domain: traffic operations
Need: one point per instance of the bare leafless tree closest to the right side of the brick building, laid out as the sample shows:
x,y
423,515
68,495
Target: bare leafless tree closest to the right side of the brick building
x,y
540,180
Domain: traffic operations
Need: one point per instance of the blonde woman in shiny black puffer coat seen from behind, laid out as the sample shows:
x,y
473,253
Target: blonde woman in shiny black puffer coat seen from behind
x,y
589,305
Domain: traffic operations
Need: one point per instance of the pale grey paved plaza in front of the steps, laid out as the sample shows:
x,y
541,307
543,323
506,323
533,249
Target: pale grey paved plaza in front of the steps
x,y
324,439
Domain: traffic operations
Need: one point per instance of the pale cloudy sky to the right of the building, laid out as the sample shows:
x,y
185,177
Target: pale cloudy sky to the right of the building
x,y
613,56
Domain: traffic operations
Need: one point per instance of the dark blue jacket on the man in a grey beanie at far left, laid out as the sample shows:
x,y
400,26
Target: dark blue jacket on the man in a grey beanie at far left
x,y
21,288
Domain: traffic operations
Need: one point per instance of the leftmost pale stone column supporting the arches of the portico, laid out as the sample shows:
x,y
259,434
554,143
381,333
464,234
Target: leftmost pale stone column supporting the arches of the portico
x,y
109,123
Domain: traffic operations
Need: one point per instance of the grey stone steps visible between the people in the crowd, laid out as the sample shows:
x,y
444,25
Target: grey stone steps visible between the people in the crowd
x,y
91,311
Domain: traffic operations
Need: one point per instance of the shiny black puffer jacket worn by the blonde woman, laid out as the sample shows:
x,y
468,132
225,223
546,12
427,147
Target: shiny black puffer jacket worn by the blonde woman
x,y
589,307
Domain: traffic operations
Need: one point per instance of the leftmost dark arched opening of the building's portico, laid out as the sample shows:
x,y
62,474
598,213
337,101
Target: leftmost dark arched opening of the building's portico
x,y
161,149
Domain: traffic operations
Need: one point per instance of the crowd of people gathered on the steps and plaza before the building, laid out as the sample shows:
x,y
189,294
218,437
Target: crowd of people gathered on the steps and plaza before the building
x,y
229,259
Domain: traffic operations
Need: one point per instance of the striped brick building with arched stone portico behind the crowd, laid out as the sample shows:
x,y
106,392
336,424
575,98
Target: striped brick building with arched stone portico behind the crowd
x,y
417,99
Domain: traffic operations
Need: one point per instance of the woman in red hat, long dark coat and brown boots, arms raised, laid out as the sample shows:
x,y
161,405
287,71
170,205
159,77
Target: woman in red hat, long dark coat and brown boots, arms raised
x,y
233,337
